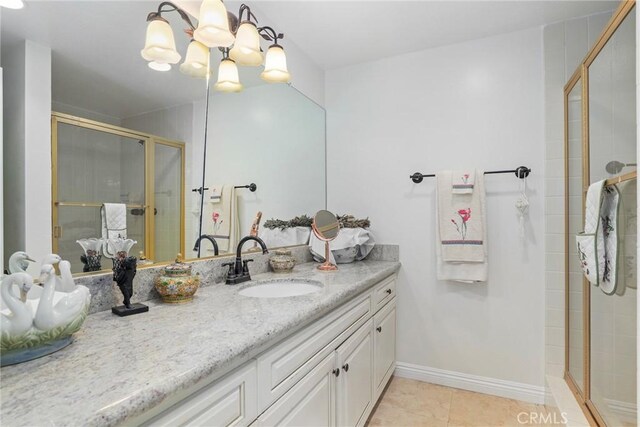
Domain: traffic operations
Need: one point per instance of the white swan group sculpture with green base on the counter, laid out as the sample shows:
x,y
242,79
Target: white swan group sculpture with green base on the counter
x,y
45,322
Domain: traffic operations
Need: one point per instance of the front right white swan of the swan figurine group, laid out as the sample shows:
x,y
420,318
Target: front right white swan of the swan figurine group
x,y
69,307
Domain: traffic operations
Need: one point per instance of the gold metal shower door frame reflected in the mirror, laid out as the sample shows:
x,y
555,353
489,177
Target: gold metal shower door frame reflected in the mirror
x,y
149,168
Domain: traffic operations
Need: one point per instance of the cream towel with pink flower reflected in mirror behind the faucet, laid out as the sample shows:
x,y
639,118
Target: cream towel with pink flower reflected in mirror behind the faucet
x,y
221,219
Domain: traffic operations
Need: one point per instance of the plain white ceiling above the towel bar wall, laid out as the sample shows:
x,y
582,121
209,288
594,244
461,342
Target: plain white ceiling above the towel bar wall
x,y
340,33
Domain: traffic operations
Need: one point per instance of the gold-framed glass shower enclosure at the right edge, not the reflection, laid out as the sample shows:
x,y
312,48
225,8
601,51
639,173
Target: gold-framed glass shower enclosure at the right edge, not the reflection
x,y
601,329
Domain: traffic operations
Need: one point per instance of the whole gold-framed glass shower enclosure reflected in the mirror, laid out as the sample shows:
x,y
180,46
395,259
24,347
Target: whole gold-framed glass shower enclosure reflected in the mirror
x,y
96,163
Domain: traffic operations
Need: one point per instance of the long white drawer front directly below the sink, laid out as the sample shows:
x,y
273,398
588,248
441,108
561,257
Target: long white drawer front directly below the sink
x,y
285,364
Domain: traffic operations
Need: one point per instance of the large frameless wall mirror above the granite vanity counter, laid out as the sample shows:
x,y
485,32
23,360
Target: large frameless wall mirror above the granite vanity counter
x,y
126,134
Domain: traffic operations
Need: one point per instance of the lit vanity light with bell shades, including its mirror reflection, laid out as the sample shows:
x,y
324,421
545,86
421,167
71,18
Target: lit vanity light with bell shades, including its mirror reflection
x,y
217,28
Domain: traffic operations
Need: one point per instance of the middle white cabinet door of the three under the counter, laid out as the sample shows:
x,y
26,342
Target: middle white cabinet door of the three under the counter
x,y
354,391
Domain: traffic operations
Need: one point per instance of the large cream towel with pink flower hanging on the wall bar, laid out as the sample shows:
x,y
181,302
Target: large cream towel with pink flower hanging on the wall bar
x,y
461,220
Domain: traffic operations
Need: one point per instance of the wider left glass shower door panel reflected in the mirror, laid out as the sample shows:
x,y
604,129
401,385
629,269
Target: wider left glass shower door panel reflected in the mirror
x,y
94,165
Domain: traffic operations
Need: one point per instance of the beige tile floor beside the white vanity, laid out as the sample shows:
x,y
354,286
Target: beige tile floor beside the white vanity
x,y
413,403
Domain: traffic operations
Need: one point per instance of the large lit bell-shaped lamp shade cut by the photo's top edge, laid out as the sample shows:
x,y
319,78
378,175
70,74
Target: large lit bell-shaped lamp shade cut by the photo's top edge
x,y
213,25
